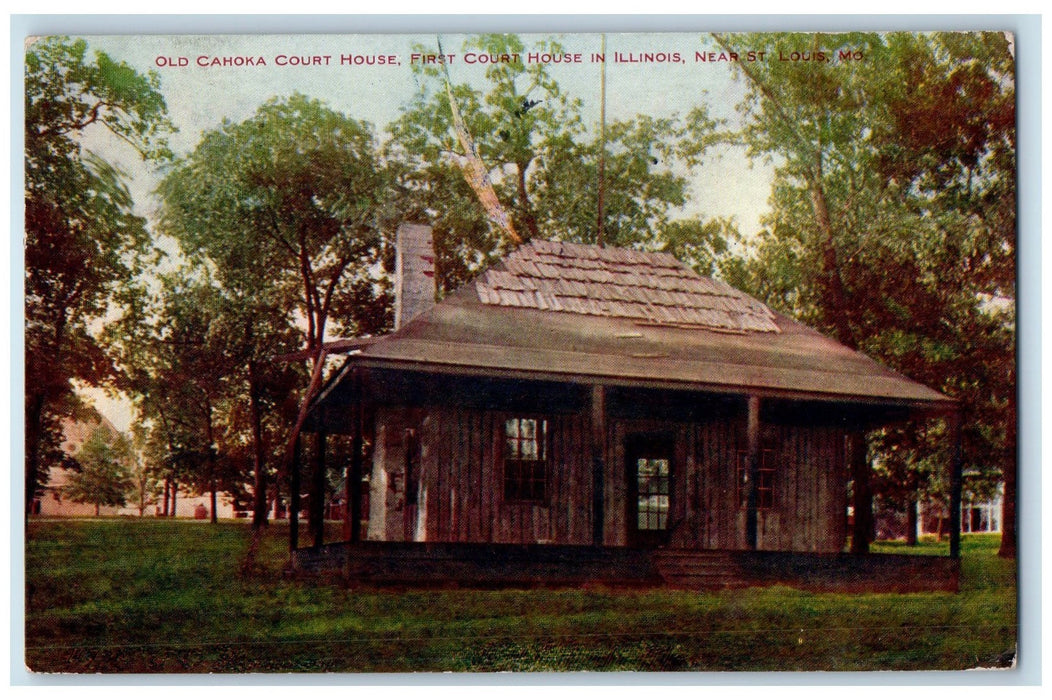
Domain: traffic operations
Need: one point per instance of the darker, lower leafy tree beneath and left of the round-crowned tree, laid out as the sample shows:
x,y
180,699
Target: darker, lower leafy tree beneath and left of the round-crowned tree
x,y
198,362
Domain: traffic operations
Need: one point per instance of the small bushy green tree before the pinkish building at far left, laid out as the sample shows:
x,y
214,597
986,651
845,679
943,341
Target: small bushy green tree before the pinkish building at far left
x,y
106,476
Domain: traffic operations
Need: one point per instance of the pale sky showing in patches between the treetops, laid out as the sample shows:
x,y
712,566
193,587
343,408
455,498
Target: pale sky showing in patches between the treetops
x,y
209,78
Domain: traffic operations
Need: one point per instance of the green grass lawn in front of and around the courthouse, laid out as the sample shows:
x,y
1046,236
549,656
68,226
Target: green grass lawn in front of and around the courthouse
x,y
153,596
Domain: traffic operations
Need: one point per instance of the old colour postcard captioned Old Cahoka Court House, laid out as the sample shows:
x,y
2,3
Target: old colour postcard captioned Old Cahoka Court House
x,y
521,352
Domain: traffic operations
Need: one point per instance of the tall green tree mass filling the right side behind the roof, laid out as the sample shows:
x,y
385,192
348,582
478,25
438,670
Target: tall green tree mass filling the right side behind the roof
x,y
893,223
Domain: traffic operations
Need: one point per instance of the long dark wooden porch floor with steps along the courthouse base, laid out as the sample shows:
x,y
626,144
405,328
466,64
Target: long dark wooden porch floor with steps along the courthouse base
x,y
497,566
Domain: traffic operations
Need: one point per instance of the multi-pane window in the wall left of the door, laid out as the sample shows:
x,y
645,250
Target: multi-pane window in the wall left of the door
x,y
527,473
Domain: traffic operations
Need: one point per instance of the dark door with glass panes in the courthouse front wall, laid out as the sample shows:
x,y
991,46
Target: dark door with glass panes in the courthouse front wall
x,y
650,468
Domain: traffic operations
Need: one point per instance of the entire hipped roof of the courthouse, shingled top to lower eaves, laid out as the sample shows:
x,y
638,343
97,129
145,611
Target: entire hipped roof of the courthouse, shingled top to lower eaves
x,y
592,315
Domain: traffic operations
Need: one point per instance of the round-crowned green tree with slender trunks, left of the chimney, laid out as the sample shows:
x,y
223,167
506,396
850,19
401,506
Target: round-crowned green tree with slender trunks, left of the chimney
x,y
296,191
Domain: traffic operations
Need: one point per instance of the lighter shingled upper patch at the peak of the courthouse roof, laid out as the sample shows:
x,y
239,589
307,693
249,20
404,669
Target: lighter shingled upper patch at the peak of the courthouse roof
x,y
620,284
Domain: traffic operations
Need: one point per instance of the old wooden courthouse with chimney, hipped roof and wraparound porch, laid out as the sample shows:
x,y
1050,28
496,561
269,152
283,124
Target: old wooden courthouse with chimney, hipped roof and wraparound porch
x,y
582,414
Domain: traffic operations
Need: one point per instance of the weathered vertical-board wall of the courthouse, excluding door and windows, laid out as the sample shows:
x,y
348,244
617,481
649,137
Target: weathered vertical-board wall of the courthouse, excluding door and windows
x,y
461,488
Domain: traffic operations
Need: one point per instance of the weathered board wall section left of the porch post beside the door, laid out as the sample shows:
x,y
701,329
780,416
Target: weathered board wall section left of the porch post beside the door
x,y
461,482
